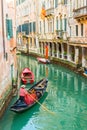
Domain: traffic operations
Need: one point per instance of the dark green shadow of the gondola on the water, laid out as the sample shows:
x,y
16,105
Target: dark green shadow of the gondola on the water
x,y
22,119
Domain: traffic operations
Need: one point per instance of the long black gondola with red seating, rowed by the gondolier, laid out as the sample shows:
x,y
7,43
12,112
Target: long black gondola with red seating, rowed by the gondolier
x,y
39,88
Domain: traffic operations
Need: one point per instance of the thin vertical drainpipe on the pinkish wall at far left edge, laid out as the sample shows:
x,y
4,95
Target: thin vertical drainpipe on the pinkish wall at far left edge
x,y
2,13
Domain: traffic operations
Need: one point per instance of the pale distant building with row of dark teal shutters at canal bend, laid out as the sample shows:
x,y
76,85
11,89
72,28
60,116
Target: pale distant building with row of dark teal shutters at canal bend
x,y
26,22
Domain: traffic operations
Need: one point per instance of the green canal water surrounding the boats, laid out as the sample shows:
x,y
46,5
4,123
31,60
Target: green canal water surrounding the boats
x,y
65,101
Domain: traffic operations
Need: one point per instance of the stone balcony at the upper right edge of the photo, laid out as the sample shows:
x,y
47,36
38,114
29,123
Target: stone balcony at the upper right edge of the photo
x,y
80,13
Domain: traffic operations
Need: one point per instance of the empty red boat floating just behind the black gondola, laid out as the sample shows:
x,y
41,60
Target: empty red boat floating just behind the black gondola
x,y
27,76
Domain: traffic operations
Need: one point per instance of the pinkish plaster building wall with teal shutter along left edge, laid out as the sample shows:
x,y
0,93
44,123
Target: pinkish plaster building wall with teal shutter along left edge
x,y
6,57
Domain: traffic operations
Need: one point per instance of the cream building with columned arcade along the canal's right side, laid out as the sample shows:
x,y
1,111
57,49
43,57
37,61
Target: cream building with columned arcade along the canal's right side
x,y
65,32
